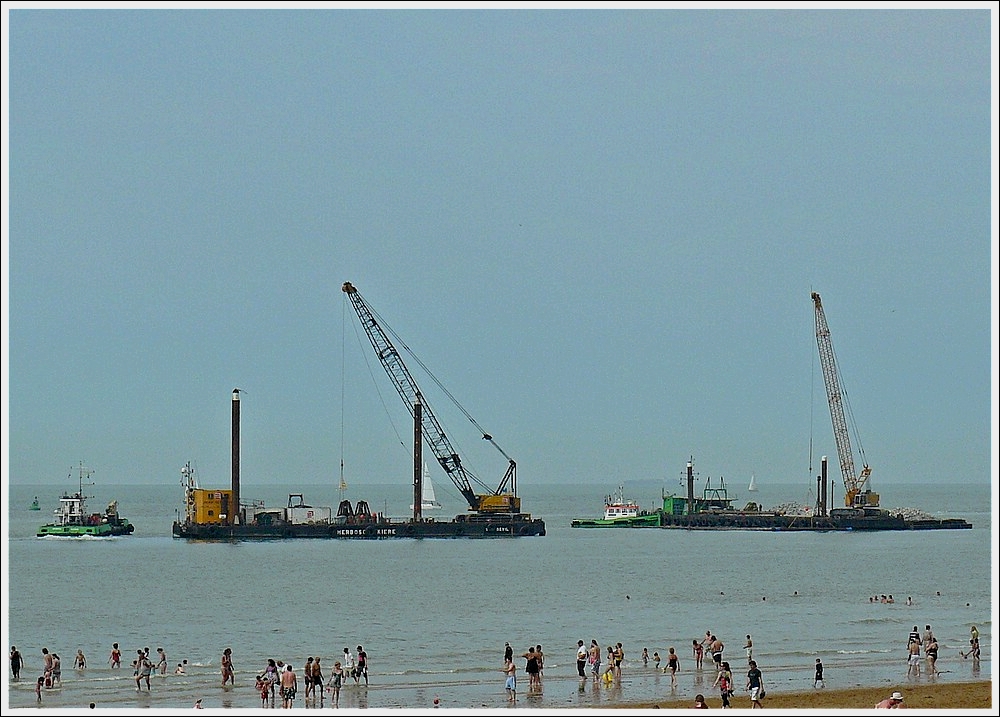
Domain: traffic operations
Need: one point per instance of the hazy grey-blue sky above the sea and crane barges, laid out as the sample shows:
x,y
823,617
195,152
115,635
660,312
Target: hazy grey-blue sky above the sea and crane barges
x,y
599,229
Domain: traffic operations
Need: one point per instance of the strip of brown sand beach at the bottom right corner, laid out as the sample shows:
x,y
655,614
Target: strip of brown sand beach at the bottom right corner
x,y
951,695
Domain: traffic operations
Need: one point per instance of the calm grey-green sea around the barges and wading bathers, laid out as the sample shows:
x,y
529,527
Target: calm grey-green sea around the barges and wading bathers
x,y
433,615
